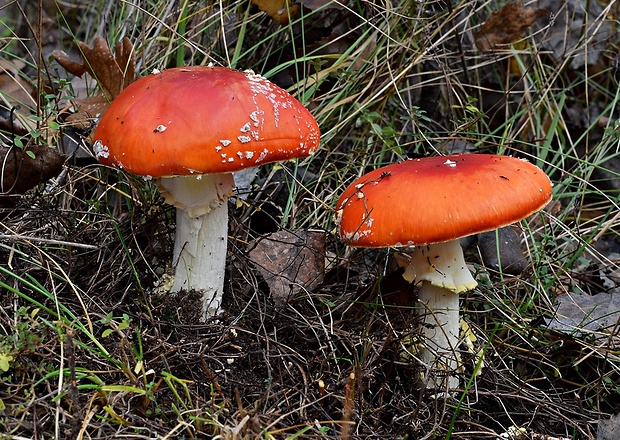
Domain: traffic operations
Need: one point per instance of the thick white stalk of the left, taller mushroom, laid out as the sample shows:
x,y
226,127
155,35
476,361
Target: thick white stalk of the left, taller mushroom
x,y
201,234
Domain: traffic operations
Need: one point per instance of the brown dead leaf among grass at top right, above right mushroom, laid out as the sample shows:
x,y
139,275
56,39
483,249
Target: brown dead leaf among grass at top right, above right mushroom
x,y
506,26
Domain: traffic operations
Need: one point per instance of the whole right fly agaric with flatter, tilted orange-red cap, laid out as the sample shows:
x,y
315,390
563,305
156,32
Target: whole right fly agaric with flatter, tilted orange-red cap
x,y
430,203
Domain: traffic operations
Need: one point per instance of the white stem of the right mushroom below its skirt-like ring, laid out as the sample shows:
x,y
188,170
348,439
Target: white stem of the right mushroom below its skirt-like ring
x,y
440,310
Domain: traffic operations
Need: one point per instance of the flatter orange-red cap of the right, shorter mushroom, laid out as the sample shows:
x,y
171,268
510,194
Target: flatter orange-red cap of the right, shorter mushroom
x,y
437,199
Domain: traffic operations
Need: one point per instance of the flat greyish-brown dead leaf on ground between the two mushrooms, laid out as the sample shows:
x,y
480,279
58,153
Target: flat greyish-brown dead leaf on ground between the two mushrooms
x,y
289,262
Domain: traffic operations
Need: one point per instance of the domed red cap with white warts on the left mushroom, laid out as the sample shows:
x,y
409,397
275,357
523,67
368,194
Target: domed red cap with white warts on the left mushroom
x,y
193,120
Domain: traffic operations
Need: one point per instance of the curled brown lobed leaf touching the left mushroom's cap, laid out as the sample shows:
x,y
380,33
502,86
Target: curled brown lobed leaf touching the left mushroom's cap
x,y
113,74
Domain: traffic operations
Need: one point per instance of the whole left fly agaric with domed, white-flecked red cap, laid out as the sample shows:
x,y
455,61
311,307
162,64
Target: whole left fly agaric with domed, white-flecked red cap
x,y
190,128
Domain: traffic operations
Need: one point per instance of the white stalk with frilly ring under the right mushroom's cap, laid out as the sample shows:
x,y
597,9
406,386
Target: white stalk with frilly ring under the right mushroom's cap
x,y
442,274
